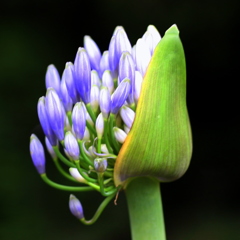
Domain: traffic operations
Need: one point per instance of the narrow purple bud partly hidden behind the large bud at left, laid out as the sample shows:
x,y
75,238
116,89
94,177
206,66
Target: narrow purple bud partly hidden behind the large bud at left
x,y
43,118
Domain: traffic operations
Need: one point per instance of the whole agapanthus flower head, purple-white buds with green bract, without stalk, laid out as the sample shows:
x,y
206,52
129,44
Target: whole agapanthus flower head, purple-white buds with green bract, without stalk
x,y
117,115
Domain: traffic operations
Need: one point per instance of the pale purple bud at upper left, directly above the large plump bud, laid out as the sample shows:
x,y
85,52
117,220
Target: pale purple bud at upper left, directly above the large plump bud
x,y
52,79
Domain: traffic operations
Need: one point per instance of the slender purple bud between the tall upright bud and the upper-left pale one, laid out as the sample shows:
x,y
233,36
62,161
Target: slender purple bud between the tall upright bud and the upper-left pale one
x,y
70,84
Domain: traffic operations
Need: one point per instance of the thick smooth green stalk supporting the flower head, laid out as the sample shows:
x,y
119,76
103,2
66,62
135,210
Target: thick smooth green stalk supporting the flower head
x,y
145,209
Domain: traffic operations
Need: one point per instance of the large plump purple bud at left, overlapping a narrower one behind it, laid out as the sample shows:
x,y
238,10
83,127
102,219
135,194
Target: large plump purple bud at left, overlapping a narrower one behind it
x,y
55,113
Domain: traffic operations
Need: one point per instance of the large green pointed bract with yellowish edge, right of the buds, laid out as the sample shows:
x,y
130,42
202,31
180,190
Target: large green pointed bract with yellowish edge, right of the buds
x,y
159,144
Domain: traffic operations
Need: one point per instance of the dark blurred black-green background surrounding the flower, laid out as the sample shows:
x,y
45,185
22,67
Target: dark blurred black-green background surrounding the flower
x,y
204,204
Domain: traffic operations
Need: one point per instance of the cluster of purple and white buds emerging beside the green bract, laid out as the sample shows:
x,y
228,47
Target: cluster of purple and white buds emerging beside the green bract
x,y
88,111
